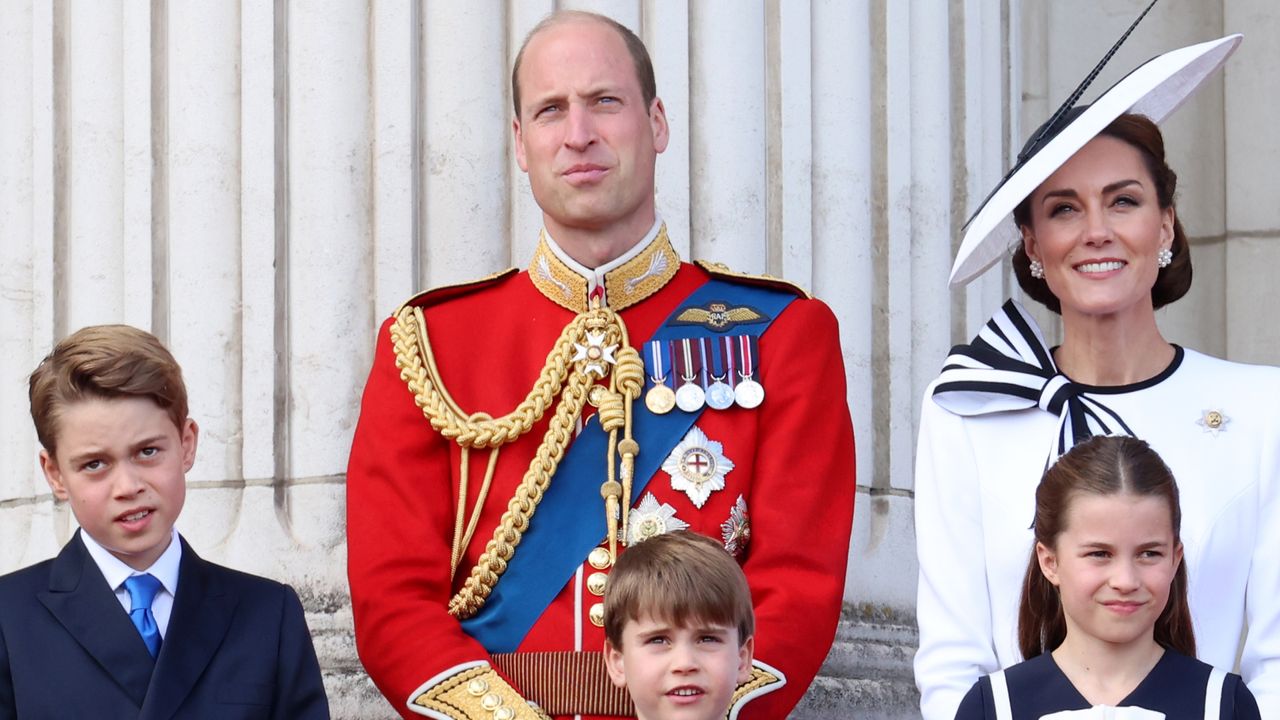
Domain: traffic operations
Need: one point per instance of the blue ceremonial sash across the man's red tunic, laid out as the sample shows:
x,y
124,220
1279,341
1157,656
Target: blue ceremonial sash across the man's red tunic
x,y
570,520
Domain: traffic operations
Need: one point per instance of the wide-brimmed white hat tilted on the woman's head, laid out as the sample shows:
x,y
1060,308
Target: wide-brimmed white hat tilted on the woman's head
x,y
1155,90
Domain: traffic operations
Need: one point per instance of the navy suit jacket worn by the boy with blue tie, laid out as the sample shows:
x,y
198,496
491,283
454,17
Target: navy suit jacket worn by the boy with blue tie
x,y
237,648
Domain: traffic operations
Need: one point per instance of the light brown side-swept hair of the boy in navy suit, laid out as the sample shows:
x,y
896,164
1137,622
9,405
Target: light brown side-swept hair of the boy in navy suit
x,y
104,362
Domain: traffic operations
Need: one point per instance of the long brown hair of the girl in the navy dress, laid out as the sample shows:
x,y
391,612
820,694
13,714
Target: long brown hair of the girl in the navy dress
x,y
1101,466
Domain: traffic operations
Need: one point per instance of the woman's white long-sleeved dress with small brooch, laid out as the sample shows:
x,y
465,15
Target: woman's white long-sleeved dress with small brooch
x,y
976,484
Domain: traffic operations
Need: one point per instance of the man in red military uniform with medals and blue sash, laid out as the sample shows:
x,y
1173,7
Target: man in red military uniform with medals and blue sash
x,y
520,431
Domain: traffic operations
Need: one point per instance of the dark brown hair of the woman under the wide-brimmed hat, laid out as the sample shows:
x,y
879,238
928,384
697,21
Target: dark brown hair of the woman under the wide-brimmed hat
x,y
1172,282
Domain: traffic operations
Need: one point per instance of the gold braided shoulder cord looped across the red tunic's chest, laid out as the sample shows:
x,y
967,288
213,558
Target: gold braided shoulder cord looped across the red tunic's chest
x,y
563,377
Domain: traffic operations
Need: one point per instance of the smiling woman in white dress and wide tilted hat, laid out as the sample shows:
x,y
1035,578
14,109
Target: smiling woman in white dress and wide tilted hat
x,y
1091,209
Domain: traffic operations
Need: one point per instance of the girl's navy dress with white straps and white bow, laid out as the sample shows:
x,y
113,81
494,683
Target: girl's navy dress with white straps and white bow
x,y
1177,689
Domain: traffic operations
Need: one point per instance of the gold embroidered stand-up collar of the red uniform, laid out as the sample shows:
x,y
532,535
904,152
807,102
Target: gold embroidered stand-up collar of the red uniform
x,y
624,286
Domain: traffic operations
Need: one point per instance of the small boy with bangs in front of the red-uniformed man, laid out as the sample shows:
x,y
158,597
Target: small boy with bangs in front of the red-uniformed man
x,y
679,627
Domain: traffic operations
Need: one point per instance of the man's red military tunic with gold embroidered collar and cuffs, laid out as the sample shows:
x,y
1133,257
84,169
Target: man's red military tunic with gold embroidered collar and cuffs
x,y
793,468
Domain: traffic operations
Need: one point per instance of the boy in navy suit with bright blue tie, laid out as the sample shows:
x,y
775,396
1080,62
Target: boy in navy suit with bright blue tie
x,y
129,622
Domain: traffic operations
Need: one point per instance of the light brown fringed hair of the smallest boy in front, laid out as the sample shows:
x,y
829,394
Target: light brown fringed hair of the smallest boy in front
x,y
680,578
